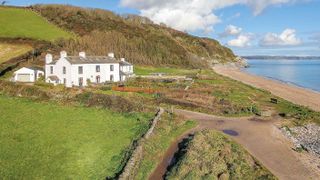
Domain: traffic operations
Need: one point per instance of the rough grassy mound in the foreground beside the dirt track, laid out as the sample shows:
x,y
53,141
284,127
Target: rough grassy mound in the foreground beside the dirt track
x,y
211,155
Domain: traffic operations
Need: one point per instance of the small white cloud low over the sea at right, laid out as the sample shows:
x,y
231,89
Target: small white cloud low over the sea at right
x,y
286,38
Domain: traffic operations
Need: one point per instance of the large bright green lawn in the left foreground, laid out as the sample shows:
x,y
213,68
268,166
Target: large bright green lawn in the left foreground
x,y
50,141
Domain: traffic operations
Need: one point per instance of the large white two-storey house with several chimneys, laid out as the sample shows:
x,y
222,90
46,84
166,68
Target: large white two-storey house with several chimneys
x,y
80,70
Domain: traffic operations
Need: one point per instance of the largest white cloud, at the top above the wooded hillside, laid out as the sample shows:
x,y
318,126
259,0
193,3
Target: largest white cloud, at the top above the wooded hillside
x,y
193,15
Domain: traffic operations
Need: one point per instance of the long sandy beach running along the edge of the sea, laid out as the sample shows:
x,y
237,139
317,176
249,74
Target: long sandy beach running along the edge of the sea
x,y
289,92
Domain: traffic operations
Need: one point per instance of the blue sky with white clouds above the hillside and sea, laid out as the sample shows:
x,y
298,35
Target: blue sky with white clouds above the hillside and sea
x,y
248,27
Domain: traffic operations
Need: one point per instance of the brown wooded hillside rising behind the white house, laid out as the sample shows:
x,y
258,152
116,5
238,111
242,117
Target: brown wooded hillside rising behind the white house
x,y
133,37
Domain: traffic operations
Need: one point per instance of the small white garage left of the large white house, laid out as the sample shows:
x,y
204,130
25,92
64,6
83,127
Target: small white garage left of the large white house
x,y
28,75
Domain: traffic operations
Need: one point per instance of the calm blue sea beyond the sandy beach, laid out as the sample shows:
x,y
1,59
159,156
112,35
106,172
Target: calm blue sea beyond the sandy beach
x,y
303,73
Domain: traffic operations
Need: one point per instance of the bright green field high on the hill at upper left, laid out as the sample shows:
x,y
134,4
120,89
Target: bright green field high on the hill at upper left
x,y
23,23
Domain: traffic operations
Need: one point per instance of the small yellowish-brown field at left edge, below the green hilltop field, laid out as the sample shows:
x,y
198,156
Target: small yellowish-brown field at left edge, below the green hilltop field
x,y
8,51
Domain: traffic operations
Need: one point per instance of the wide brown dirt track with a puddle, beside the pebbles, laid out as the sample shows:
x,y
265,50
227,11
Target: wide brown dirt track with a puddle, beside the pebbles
x,y
263,140
